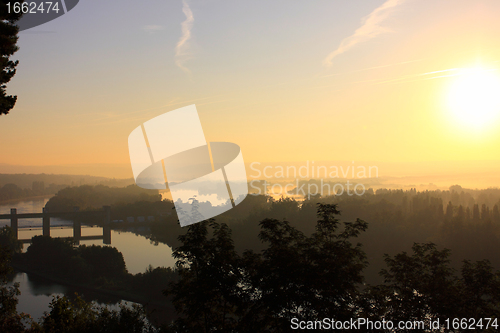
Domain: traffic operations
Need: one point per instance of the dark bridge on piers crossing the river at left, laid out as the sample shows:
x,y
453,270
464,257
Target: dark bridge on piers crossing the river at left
x,y
105,214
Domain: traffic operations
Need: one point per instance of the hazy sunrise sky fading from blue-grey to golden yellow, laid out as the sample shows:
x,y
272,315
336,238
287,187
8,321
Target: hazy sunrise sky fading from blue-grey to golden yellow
x,y
299,81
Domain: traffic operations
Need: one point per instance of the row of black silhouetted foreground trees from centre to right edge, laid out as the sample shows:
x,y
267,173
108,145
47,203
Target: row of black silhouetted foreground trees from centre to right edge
x,y
309,278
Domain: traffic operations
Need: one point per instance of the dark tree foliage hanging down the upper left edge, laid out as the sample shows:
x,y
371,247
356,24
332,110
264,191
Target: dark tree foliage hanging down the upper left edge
x,y
8,46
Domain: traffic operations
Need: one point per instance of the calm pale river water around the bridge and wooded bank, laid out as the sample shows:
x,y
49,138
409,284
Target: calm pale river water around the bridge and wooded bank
x,y
36,293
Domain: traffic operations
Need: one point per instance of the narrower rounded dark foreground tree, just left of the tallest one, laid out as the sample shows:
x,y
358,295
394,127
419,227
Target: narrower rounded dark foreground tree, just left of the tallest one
x,y
207,295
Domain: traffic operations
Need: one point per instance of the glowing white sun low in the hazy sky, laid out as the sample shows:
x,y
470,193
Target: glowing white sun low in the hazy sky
x,y
474,98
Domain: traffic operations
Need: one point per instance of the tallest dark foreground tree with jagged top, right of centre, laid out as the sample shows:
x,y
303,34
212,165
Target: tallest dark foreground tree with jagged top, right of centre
x,y
309,278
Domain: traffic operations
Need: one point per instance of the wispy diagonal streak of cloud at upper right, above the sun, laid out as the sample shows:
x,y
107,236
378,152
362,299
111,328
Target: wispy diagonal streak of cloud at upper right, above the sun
x,y
370,28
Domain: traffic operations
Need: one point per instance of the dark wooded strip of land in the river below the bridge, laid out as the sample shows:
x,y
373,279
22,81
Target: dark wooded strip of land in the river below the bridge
x,y
98,267
